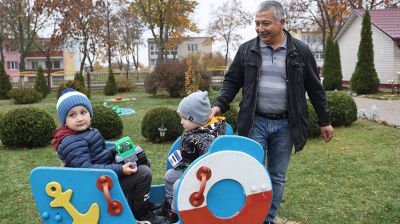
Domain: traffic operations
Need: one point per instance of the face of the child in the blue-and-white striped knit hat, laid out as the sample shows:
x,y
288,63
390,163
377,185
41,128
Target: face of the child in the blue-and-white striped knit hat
x,y
78,118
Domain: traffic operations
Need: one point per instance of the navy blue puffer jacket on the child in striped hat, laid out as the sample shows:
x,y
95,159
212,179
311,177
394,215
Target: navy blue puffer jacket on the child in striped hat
x,y
87,150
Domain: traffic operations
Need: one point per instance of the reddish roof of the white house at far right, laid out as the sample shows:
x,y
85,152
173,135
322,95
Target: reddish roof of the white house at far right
x,y
387,20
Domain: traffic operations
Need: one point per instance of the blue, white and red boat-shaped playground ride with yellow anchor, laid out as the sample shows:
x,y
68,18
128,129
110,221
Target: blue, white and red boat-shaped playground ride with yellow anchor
x,y
228,184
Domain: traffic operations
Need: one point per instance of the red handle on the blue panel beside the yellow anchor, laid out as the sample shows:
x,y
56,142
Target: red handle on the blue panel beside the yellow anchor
x,y
104,183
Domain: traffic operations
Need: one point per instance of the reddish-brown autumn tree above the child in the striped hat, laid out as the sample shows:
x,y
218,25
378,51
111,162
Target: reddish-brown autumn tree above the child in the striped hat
x,y
78,26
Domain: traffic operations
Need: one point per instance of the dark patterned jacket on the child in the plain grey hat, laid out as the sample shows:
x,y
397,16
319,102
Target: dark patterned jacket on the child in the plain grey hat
x,y
196,142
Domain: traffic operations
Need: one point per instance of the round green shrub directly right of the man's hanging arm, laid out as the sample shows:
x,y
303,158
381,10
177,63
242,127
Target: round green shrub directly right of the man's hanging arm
x,y
343,108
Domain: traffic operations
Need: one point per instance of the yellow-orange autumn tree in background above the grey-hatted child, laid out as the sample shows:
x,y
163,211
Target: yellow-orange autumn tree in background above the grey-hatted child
x,y
167,20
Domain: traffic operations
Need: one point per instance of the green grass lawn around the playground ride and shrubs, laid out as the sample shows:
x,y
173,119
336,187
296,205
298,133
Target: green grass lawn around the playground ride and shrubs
x,y
353,179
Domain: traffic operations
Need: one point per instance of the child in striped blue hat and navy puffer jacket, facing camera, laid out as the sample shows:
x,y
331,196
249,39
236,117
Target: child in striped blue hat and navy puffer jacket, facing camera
x,y
78,145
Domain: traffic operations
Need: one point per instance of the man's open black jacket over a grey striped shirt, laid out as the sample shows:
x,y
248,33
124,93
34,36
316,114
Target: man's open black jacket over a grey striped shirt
x,y
301,75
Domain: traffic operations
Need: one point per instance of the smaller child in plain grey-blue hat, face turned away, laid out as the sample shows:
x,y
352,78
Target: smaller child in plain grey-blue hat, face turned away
x,y
199,132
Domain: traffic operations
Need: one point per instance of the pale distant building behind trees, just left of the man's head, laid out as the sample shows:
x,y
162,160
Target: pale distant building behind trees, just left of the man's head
x,y
189,45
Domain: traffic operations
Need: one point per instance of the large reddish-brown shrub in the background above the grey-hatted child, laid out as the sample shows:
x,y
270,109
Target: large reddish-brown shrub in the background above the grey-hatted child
x,y
171,76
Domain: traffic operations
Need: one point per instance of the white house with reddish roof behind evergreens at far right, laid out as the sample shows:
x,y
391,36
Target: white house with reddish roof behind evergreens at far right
x,y
385,25
